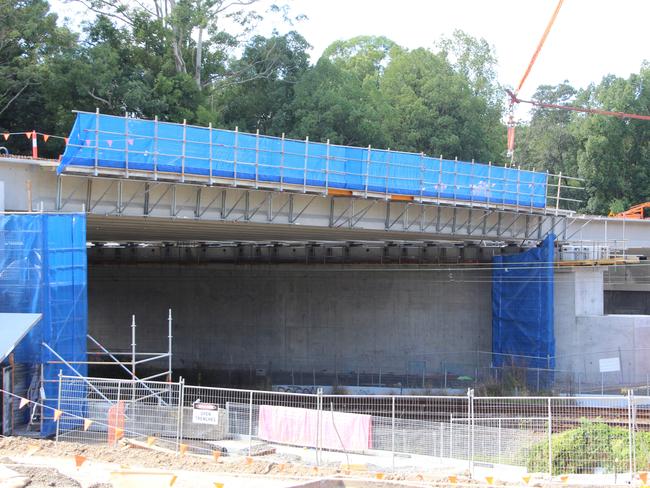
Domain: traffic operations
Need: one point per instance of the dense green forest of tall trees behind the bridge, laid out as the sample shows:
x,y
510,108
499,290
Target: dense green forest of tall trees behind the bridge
x,y
204,61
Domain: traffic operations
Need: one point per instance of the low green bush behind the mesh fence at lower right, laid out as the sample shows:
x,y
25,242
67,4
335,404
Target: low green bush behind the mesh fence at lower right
x,y
591,446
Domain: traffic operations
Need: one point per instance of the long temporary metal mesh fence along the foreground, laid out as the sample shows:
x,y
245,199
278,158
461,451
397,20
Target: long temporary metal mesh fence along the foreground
x,y
551,435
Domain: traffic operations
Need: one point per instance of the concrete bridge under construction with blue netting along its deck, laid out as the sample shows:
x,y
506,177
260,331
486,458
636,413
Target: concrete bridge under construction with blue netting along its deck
x,y
296,261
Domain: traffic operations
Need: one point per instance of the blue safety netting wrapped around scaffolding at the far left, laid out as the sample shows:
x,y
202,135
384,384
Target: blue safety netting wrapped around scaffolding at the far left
x,y
43,270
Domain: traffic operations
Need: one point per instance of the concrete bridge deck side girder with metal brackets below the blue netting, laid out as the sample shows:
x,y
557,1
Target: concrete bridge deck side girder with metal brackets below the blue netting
x,y
134,207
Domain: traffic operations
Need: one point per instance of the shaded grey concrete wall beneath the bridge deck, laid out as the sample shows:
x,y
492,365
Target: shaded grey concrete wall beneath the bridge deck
x,y
288,316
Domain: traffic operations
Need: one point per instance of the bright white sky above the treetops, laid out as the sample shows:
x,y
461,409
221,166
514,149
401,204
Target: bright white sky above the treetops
x,y
590,39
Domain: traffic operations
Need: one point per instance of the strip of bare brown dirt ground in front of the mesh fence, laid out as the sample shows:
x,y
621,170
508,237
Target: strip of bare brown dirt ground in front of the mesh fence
x,y
275,467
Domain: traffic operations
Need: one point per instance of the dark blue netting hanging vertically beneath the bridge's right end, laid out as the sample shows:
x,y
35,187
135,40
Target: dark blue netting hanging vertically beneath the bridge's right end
x,y
522,308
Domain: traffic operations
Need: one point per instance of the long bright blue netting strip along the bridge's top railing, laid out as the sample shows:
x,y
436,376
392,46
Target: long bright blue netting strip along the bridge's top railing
x,y
104,141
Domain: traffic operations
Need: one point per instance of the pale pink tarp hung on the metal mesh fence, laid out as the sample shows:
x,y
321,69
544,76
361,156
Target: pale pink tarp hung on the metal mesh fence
x,y
299,426
